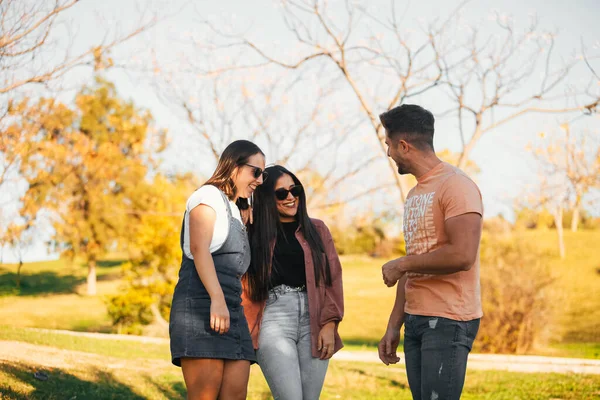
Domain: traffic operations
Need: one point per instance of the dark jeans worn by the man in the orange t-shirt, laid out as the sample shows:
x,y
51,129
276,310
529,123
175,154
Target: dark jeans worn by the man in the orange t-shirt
x,y
436,351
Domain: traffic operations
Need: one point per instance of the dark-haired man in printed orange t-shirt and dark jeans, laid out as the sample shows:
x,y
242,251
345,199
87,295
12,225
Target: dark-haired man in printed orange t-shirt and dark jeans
x,y
438,297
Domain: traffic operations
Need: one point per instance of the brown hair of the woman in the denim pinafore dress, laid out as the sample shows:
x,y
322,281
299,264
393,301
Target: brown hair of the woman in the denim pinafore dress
x,y
235,154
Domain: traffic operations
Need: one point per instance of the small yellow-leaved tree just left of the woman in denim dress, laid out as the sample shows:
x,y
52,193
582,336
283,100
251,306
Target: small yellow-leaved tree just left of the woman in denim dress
x,y
154,254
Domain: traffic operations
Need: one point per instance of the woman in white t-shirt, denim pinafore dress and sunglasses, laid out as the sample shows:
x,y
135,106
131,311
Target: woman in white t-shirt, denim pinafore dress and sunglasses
x,y
210,339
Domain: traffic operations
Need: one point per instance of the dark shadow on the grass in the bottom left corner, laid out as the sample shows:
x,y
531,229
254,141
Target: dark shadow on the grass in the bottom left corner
x,y
62,385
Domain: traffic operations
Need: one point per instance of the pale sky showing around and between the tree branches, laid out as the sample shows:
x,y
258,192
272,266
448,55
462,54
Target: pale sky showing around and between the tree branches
x,y
506,167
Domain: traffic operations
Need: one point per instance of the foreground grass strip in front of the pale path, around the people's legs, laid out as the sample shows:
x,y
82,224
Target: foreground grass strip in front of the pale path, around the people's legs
x,y
90,368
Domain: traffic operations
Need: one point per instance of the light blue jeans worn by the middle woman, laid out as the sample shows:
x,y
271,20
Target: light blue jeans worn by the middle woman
x,y
284,353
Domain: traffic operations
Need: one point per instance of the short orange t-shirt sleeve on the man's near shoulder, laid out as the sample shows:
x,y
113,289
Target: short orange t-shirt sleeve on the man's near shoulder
x,y
460,195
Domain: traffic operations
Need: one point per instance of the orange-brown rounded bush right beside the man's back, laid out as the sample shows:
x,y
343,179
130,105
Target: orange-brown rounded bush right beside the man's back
x,y
517,294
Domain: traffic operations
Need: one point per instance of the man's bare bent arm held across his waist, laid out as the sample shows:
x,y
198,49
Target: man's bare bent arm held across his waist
x,y
459,254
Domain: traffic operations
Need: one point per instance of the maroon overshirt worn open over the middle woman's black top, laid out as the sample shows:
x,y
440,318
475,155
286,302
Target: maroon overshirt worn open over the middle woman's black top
x,y
325,304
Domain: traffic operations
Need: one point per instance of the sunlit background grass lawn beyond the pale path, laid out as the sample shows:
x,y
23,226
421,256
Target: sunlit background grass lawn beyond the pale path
x,y
52,295
